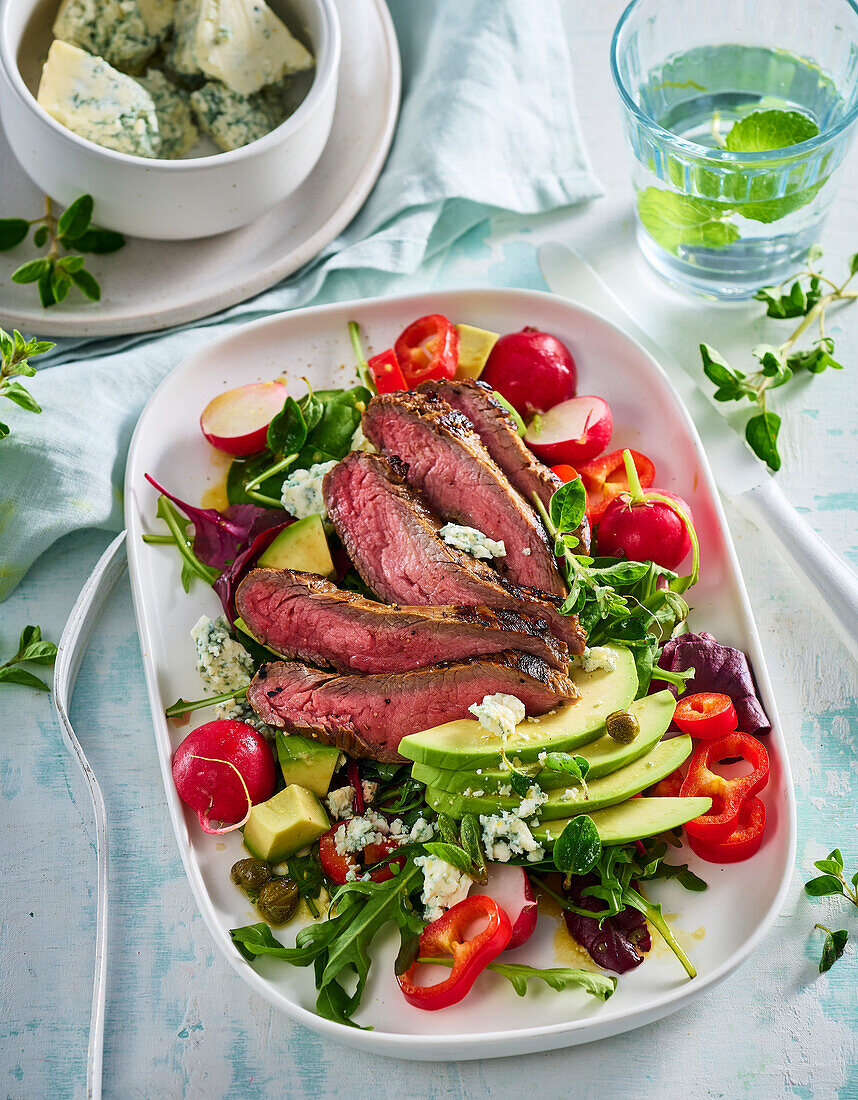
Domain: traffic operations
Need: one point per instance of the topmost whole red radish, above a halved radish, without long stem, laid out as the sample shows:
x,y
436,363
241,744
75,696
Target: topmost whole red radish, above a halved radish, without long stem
x,y
533,370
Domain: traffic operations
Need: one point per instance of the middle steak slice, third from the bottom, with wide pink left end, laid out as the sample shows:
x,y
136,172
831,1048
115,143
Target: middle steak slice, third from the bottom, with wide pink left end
x,y
392,538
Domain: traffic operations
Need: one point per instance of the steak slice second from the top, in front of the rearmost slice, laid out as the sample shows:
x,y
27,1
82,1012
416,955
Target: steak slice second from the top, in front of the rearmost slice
x,y
453,470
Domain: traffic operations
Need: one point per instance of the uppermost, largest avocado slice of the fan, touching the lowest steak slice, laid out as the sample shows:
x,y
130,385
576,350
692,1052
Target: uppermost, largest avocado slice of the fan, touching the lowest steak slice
x,y
466,745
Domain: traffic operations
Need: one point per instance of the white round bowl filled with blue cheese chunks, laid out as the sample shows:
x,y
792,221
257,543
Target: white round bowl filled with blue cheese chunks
x,y
182,118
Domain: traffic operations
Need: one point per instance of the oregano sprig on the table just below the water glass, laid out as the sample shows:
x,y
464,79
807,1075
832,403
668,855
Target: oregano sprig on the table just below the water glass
x,y
807,295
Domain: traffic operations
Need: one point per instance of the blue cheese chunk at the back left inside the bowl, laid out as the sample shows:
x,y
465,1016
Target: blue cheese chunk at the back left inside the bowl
x,y
115,30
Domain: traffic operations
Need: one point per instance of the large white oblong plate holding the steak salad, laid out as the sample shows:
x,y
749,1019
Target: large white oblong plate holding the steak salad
x,y
719,928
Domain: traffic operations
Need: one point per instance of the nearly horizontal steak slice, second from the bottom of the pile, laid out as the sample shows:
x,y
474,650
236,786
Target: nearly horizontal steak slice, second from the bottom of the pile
x,y
305,618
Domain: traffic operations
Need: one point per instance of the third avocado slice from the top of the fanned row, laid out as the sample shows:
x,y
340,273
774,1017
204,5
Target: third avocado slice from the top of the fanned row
x,y
608,791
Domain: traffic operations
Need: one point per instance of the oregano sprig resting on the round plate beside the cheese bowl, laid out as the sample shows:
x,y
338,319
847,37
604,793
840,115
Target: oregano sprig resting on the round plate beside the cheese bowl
x,y
74,233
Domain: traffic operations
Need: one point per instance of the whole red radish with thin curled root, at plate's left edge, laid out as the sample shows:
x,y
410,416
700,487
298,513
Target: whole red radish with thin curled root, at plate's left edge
x,y
222,771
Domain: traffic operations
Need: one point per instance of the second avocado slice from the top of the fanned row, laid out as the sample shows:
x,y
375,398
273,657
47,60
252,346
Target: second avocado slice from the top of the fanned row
x,y
604,755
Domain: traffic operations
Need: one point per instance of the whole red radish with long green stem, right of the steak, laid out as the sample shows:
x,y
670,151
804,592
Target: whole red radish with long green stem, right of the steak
x,y
648,525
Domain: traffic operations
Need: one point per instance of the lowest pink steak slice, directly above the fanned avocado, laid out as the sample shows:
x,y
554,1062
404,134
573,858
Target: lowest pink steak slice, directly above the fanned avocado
x,y
369,716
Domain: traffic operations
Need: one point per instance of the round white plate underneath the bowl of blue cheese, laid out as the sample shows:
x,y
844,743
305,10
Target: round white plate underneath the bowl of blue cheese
x,y
152,285
